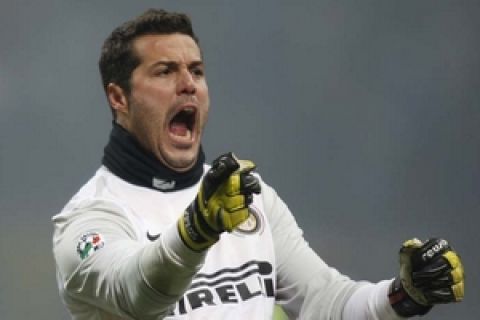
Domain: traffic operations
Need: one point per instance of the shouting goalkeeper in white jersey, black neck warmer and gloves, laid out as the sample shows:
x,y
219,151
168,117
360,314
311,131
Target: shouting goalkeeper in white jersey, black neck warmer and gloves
x,y
158,234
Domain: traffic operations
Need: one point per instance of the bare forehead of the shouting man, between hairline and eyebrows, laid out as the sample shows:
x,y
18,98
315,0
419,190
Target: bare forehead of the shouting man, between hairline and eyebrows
x,y
176,47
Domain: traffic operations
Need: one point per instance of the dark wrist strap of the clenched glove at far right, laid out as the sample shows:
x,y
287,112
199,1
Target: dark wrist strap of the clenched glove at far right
x,y
402,303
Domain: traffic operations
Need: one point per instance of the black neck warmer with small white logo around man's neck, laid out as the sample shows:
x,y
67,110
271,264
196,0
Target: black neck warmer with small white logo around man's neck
x,y
126,158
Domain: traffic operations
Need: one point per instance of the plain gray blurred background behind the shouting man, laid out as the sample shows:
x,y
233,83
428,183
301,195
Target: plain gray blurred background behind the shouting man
x,y
364,115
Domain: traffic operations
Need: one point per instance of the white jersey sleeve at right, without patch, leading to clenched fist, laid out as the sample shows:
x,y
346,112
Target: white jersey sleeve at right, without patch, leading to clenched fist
x,y
307,288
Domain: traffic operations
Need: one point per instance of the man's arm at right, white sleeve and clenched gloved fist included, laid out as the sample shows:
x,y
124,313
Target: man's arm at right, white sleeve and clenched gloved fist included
x,y
308,288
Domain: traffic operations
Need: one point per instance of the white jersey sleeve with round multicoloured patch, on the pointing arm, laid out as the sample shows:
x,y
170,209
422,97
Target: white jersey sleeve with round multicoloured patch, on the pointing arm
x,y
119,274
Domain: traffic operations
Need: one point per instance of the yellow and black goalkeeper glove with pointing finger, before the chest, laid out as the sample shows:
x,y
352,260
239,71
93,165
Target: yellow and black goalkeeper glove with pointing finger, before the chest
x,y
221,203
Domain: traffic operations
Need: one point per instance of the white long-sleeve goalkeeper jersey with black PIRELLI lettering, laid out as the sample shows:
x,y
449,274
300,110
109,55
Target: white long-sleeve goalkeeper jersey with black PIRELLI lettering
x,y
119,256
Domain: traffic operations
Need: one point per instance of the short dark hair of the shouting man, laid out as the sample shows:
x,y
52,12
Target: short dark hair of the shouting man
x,y
118,59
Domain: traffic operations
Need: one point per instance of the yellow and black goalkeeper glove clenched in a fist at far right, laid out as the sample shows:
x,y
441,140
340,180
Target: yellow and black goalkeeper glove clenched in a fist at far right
x,y
430,273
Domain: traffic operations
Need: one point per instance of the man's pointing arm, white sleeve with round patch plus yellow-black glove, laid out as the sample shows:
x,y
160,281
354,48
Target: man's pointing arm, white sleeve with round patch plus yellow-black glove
x,y
130,279
